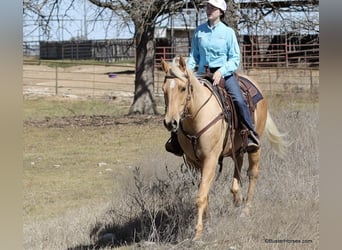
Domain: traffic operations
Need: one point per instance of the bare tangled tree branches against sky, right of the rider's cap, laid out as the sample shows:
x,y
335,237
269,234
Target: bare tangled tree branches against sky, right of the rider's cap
x,y
296,16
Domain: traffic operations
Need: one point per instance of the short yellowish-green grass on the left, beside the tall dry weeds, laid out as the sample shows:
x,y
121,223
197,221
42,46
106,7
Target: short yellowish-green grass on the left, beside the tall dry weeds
x,y
72,166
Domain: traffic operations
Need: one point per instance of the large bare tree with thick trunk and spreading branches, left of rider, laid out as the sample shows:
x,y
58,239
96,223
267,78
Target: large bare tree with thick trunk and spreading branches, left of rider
x,y
144,15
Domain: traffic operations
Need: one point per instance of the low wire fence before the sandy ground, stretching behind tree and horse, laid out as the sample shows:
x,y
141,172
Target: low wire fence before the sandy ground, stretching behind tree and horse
x,y
116,81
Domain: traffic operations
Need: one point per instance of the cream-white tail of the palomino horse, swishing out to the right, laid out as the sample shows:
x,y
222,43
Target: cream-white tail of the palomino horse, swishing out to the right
x,y
277,139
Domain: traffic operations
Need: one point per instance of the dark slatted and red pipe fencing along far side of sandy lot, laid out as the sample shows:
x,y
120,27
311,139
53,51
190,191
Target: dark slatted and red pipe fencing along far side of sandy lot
x,y
257,55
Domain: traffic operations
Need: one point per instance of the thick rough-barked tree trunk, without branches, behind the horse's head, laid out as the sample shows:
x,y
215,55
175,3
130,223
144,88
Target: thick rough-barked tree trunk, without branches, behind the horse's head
x,y
144,100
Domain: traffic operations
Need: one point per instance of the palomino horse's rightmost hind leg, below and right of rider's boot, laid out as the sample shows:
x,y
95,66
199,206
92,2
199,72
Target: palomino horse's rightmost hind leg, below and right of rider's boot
x,y
253,173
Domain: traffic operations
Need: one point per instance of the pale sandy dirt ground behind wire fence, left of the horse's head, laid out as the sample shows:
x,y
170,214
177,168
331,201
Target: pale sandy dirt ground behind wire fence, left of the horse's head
x,y
82,81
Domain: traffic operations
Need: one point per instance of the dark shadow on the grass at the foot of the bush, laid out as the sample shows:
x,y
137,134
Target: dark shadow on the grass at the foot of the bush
x,y
163,227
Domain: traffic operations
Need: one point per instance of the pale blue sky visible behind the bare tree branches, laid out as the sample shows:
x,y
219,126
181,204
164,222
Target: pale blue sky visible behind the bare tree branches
x,y
80,23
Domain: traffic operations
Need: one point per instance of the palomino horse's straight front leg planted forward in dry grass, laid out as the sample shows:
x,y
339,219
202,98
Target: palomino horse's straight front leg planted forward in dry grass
x,y
208,174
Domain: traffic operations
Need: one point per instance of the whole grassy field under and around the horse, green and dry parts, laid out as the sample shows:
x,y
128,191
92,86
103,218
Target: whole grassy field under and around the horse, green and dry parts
x,y
94,178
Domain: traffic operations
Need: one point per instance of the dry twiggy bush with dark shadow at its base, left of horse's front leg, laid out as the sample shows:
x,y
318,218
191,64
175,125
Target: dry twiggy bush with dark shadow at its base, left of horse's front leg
x,y
159,211
